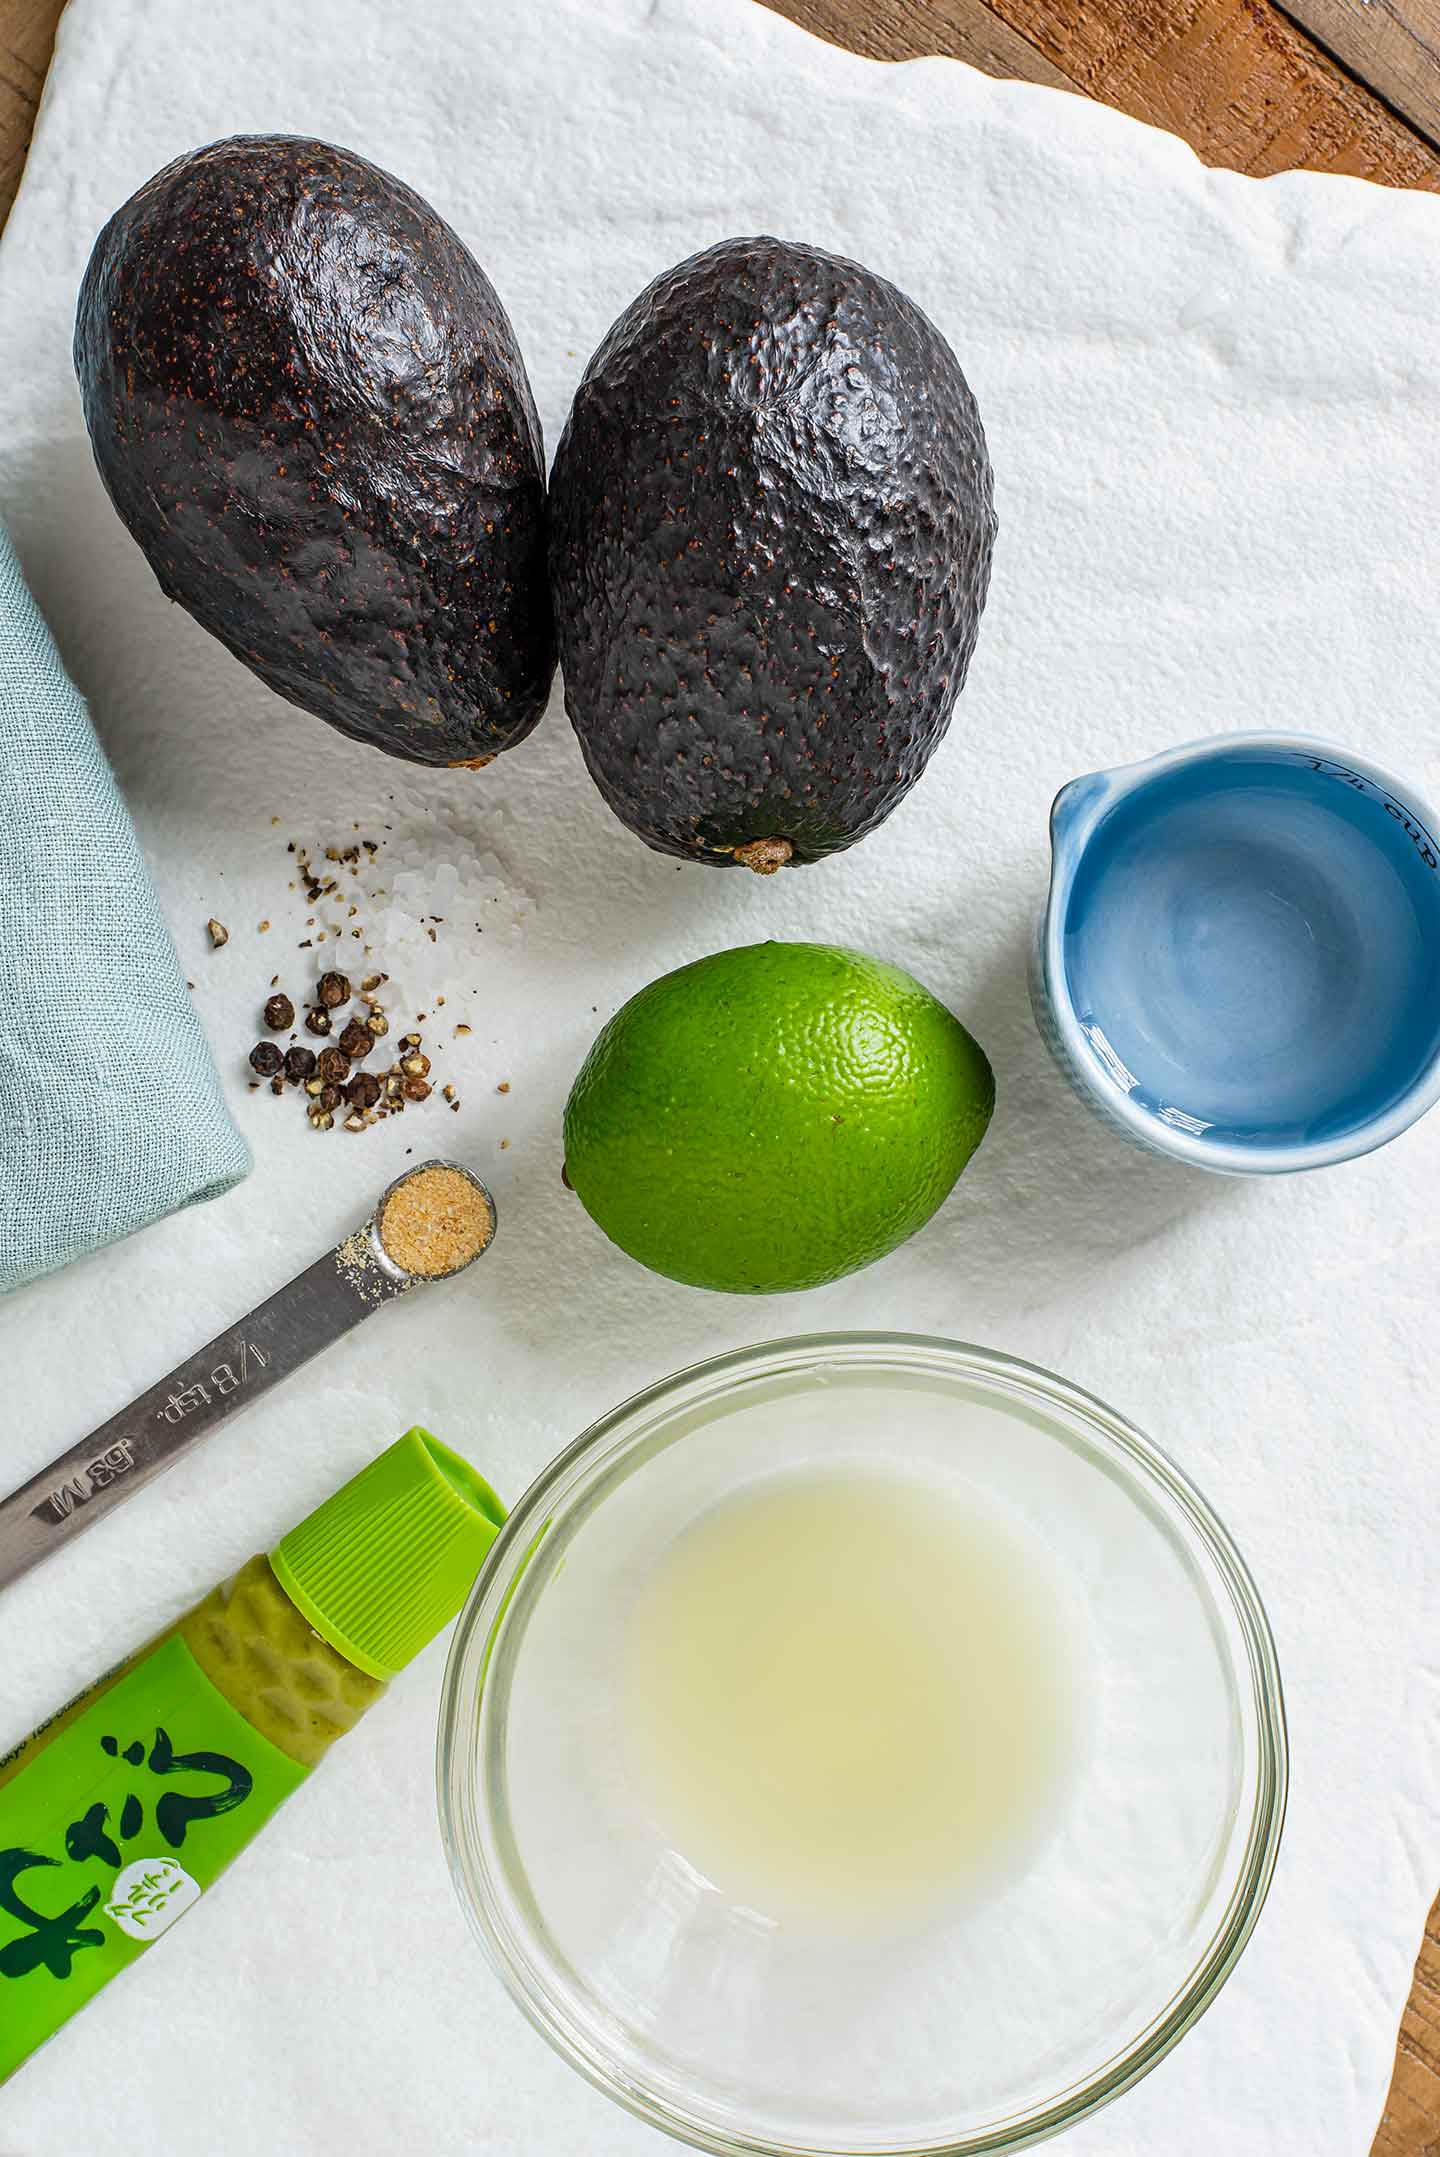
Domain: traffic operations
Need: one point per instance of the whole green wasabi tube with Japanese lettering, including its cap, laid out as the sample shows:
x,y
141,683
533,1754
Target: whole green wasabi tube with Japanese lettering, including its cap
x,y
122,1811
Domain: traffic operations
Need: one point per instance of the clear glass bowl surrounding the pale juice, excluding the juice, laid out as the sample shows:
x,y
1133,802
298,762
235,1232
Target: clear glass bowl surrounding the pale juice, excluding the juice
x,y
975,2024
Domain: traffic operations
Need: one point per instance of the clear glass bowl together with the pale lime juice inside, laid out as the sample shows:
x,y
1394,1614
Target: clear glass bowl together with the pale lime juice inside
x,y
863,1746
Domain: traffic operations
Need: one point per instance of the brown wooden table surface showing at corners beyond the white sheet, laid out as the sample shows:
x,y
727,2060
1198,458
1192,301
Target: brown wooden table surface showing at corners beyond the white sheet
x,y
1327,85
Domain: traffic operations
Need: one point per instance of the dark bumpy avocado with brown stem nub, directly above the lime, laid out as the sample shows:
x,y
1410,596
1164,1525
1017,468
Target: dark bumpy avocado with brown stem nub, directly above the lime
x,y
771,549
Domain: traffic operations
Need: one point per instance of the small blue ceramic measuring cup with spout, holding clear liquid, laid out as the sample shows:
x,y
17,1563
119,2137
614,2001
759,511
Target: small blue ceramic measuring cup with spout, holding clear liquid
x,y
1241,959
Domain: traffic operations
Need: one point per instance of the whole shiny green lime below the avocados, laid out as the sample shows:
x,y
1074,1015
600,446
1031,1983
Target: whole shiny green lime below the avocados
x,y
775,1116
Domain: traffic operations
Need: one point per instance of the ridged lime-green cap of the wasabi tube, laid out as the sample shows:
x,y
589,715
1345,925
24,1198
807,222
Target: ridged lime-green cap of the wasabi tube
x,y
389,1561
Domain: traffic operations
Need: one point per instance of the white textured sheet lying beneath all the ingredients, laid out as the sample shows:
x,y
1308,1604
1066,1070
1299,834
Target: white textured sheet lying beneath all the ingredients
x,y
1215,415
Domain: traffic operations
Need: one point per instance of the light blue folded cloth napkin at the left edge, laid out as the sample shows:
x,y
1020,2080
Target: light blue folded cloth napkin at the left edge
x,y
111,1108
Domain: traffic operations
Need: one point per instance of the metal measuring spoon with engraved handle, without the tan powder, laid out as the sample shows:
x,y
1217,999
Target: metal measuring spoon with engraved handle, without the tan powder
x,y
311,1313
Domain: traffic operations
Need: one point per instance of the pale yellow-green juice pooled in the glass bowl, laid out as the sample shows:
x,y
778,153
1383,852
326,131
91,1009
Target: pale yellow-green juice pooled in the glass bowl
x,y
848,1694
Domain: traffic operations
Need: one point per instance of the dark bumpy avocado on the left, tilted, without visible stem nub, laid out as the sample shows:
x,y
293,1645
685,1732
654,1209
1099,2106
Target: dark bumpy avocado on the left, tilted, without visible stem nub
x,y
309,409
